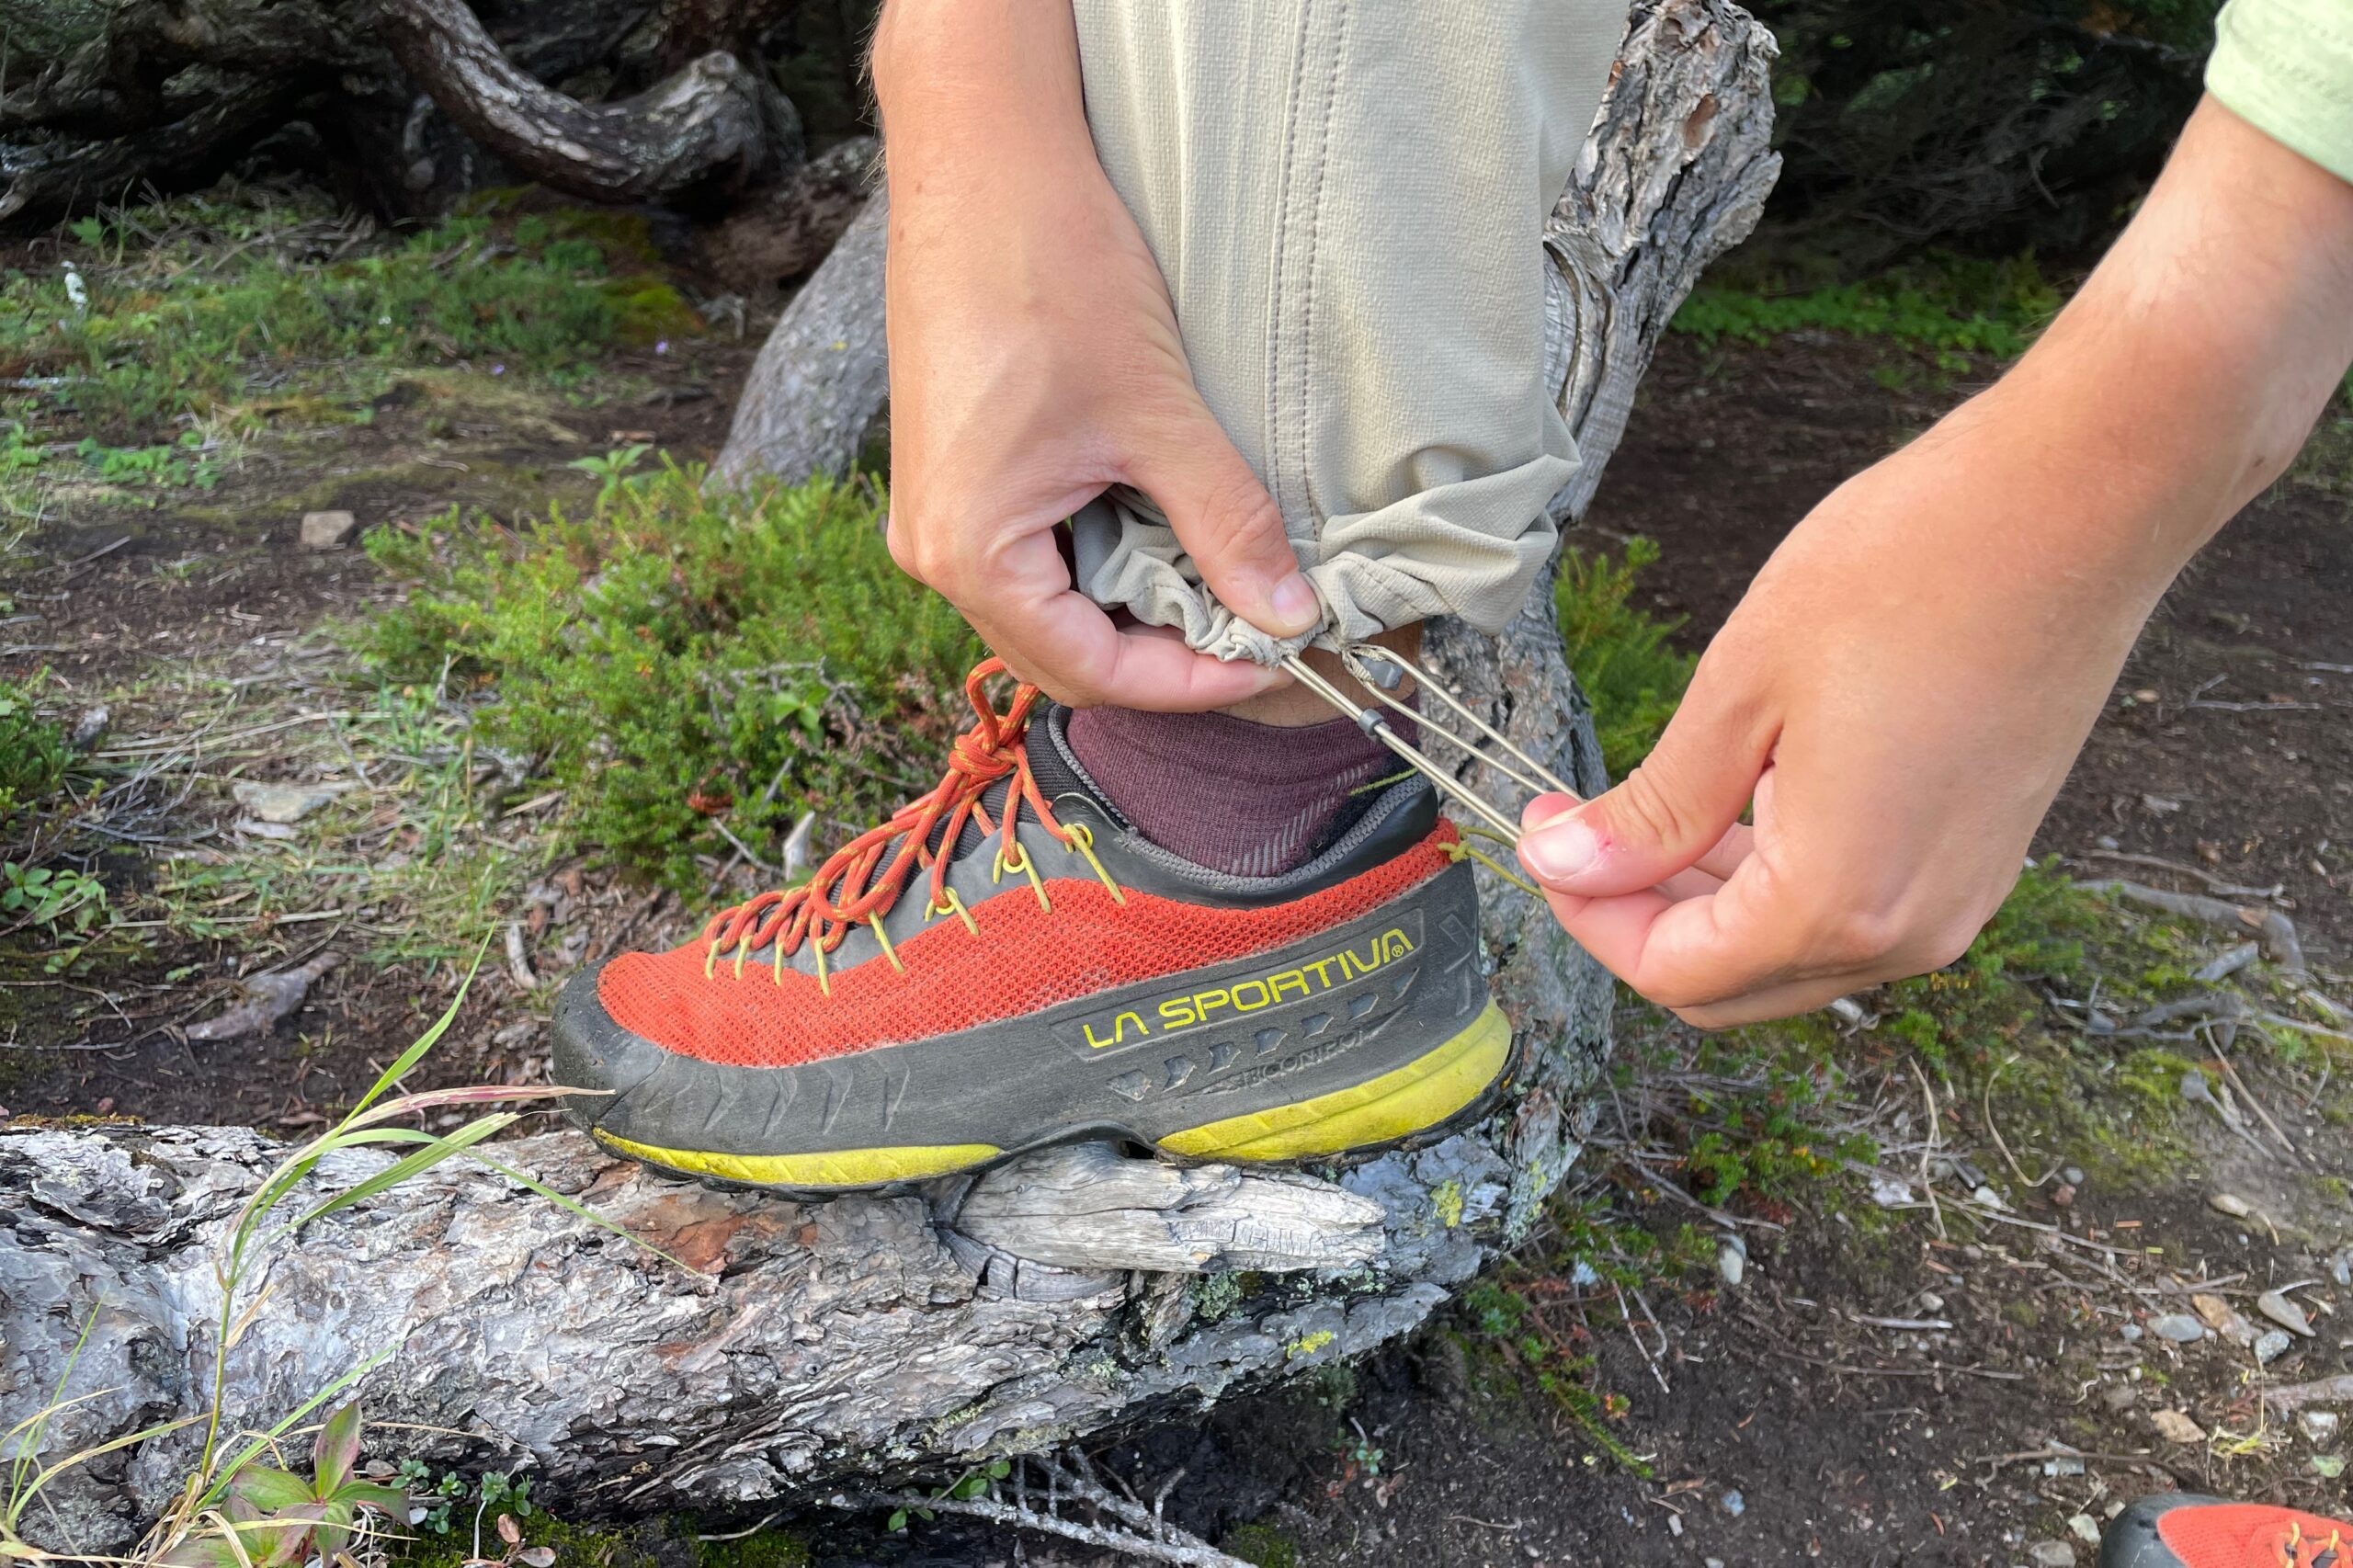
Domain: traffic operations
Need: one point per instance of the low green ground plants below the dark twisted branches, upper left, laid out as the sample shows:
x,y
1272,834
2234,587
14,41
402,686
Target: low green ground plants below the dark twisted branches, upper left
x,y
206,307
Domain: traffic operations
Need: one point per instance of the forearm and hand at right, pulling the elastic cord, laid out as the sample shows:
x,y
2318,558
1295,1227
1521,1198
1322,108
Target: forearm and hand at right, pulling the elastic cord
x,y
1912,675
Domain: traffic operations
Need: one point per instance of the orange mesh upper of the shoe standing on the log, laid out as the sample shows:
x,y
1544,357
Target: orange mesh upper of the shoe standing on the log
x,y
1025,959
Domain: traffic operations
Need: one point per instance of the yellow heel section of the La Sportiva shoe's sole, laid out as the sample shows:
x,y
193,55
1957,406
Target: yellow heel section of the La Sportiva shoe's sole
x,y
1375,1112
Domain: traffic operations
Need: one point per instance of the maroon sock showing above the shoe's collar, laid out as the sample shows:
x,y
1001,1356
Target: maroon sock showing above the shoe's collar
x,y
1225,792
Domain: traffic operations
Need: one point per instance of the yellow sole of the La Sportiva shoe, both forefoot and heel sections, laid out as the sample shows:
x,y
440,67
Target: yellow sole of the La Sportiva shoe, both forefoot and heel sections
x,y
1375,1112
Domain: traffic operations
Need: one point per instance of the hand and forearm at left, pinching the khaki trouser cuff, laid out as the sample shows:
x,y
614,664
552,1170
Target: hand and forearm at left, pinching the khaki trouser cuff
x,y
1034,361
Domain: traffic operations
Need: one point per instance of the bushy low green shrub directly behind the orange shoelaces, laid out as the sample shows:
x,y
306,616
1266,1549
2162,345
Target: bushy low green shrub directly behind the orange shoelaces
x,y
686,665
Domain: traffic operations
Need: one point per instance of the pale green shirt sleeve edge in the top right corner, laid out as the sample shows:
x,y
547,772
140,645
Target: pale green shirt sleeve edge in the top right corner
x,y
2286,67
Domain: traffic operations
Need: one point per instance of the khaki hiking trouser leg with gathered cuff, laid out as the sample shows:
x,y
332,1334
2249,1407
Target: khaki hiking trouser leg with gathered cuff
x,y
1347,201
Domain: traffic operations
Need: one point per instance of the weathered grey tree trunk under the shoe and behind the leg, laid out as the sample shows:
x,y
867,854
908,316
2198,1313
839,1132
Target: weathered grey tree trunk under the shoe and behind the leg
x,y
876,1338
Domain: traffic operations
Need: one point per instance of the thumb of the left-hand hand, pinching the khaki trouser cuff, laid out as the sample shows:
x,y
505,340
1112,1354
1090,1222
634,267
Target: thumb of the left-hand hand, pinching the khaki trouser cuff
x,y
1227,521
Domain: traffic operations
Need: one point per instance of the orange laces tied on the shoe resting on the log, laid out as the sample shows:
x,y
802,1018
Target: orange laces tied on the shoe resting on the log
x,y
851,891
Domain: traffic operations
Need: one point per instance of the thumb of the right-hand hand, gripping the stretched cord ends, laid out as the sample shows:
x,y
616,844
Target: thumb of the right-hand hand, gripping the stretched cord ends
x,y
1660,820
